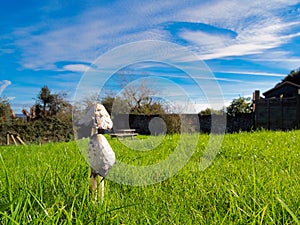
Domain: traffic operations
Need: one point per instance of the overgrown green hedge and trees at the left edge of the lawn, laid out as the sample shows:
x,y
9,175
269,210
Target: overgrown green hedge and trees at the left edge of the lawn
x,y
52,123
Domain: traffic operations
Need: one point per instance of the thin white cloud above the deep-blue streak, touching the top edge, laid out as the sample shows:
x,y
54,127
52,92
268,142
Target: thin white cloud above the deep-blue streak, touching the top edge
x,y
236,15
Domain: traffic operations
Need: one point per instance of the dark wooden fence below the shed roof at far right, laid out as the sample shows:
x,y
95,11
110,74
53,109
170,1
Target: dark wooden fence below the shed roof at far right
x,y
276,113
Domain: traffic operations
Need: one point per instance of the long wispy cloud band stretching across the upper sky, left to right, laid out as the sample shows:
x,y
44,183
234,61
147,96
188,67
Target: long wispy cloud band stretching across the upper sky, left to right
x,y
258,29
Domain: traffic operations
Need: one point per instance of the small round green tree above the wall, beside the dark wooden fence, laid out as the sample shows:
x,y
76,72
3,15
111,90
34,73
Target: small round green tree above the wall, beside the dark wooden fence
x,y
239,105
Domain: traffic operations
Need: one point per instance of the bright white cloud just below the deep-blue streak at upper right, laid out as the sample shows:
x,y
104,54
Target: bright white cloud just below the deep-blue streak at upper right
x,y
254,40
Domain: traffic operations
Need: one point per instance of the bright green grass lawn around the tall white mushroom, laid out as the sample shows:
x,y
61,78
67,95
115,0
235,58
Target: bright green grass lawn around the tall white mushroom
x,y
254,179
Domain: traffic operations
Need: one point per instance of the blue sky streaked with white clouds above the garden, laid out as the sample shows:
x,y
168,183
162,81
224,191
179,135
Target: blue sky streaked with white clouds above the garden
x,y
247,45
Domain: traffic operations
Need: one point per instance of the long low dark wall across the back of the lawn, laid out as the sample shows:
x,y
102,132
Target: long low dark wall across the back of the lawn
x,y
192,123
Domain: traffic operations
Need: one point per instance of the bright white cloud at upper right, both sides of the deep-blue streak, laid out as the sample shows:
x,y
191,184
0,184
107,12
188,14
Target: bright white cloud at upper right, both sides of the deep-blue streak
x,y
257,24
